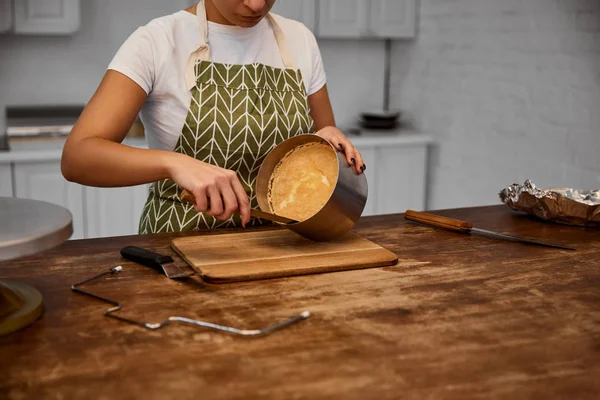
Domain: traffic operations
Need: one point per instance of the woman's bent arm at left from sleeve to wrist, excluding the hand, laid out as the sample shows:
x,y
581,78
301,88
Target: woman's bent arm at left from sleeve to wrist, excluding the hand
x,y
93,154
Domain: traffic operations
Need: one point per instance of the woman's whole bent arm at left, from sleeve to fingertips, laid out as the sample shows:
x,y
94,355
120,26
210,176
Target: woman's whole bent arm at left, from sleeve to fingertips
x,y
94,156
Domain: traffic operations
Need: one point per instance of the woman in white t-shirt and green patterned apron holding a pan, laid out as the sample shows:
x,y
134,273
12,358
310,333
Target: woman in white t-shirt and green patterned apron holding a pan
x,y
217,86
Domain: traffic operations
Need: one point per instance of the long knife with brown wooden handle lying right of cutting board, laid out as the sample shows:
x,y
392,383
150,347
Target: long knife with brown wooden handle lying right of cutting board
x,y
466,227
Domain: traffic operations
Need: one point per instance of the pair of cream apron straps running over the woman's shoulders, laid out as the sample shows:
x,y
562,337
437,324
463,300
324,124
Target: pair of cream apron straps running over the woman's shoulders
x,y
202,53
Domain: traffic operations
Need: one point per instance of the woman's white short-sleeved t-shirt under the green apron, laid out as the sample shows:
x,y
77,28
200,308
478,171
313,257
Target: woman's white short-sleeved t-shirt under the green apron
x,y
155,57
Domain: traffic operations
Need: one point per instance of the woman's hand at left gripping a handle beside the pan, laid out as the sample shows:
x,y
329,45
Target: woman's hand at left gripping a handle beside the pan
x,y
217,191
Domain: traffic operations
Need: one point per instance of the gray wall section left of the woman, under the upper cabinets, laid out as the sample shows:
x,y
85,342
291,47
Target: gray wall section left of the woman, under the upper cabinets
x,y
50,70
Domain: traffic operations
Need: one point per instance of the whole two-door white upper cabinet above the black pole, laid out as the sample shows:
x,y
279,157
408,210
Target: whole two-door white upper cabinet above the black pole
x,y
366,19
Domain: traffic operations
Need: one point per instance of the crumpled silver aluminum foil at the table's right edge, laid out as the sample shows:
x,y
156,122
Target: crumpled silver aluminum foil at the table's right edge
x,y
562,205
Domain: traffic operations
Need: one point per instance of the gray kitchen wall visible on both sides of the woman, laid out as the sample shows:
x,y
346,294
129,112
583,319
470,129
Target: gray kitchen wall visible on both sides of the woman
x,y
50,70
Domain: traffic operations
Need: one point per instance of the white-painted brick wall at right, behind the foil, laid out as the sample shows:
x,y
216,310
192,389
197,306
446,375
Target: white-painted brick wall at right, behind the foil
x,y
510,89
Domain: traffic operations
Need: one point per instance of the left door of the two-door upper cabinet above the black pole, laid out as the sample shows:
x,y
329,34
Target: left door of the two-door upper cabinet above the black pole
x,y
343,18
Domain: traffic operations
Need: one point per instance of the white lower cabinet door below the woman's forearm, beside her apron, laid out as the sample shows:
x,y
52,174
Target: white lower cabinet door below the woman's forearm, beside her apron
x,y
114,211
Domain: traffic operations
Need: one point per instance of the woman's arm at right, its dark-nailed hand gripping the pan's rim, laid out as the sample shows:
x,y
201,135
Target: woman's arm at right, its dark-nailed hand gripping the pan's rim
x,y
322,113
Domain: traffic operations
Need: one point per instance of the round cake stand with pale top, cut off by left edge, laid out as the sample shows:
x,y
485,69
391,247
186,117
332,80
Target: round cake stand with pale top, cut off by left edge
x,y
27,227
